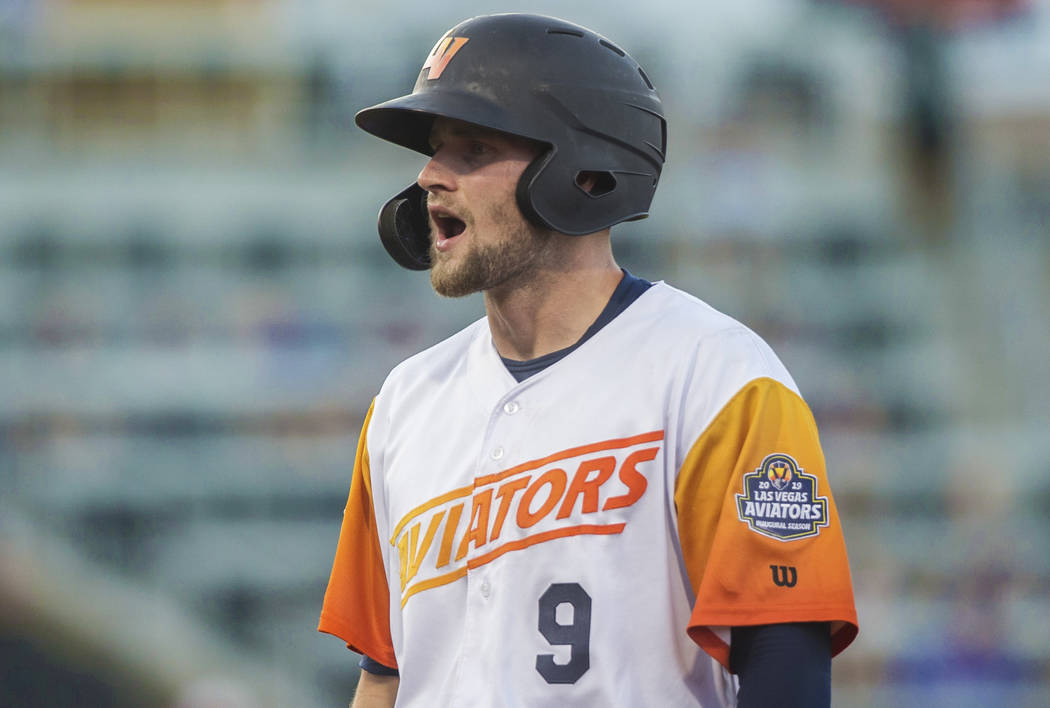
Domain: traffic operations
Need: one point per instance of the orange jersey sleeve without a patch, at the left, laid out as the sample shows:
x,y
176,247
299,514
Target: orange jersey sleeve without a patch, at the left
x,y
356,606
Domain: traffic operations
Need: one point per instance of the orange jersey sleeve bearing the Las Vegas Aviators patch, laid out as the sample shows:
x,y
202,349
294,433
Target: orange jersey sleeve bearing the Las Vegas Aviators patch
x,y
761,535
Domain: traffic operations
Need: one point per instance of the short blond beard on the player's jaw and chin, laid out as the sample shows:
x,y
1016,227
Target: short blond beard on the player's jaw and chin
x,y
488,266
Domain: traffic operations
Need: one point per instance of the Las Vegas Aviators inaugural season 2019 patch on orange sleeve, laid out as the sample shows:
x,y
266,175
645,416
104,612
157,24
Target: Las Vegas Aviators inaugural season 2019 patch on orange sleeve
x,y
782,502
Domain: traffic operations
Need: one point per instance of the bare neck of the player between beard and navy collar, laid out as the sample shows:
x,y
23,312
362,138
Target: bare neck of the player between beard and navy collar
x,y
555,308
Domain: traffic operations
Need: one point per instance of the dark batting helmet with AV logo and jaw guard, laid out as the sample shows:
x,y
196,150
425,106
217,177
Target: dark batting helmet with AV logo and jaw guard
x,y
578,94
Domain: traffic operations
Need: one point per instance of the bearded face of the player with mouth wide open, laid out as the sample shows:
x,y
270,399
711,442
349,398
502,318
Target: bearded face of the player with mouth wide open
x,y
479,238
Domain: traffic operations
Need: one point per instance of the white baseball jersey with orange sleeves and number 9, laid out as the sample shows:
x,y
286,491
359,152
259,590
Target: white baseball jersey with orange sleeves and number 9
x,y
587,537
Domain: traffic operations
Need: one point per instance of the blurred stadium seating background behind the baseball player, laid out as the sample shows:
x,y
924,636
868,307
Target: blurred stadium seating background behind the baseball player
x,y
196,313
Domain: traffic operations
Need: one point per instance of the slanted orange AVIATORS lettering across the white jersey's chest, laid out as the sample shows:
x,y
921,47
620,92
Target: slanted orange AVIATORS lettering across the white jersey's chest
x,y
533,503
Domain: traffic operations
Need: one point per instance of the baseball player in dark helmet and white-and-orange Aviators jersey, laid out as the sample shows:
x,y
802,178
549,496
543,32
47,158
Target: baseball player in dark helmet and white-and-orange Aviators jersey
x,y
604,492
